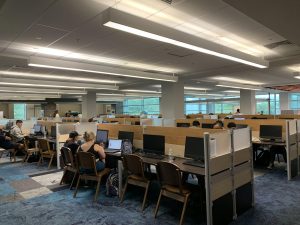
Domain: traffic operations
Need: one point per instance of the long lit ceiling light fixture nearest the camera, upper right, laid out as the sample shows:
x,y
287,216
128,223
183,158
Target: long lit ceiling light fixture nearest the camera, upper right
x,y
115,19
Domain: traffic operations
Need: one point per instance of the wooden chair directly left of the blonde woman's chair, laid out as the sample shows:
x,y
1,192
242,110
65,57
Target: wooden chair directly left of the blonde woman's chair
x,y
69,164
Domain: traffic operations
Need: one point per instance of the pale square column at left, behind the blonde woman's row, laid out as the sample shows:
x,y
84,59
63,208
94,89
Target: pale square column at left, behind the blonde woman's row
x,y
89,105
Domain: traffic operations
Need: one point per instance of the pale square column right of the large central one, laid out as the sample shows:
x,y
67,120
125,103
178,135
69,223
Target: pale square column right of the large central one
x,y
247,102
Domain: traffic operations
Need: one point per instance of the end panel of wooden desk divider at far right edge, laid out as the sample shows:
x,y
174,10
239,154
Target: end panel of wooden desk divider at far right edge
x,y
291,149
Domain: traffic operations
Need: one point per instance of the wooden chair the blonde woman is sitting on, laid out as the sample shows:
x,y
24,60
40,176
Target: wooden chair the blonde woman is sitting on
x,y
87,171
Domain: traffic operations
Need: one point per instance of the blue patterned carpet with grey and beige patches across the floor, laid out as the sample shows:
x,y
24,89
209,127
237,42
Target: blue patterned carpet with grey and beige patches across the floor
x,y
277,203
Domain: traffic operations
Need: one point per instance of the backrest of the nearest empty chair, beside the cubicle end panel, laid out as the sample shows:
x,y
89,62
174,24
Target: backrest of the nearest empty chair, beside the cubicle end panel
x,y
169,174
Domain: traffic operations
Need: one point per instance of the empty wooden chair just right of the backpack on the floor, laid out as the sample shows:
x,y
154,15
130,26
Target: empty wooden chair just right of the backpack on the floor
x,y
135,168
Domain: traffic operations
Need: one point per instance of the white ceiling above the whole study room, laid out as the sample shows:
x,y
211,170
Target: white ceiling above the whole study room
x,y
73,34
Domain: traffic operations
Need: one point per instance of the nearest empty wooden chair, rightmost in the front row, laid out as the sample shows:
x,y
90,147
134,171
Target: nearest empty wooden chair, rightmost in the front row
x,y
169,176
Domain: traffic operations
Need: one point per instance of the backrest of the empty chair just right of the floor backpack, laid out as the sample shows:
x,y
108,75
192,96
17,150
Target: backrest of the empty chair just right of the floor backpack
x,y
134,164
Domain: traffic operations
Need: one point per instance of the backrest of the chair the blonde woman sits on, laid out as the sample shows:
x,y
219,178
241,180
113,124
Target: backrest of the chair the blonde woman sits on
x,y
86,162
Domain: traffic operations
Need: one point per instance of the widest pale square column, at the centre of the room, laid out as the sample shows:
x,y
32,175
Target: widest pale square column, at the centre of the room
x,y
172,100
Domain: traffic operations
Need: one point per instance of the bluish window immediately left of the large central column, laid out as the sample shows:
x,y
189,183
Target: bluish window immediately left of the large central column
x,y
136,106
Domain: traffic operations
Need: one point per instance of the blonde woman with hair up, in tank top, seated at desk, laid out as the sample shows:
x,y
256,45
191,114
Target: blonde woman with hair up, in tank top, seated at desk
x,y
96,149
